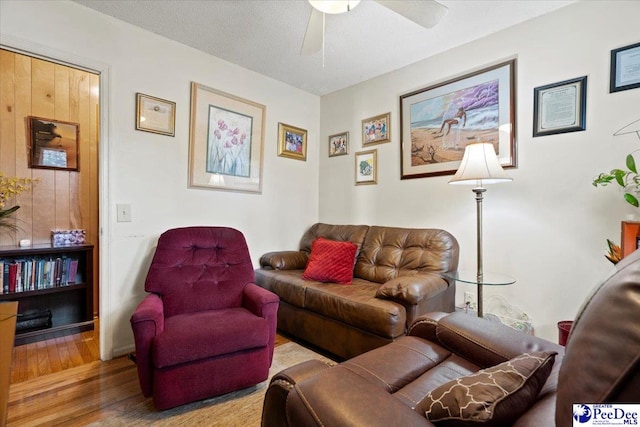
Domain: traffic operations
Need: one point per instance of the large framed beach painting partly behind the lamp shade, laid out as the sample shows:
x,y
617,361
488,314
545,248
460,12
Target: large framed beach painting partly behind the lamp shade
x,y
438,122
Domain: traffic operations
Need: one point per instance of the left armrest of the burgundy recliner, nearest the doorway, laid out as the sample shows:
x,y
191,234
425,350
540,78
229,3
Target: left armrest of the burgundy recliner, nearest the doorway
x,y
147,322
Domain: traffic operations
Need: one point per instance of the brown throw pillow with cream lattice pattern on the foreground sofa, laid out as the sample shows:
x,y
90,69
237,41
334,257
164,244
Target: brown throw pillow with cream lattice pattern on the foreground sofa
x,y
495,396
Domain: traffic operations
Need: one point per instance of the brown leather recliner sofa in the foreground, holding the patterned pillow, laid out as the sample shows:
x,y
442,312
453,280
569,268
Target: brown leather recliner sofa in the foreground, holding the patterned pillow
x,y
388,386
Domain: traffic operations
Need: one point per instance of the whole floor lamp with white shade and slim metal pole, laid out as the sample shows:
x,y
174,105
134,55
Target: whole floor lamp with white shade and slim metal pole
x,y
479,166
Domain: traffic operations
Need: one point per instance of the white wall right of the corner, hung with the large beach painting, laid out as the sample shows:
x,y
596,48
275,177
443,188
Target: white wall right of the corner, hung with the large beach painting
x,y
548,227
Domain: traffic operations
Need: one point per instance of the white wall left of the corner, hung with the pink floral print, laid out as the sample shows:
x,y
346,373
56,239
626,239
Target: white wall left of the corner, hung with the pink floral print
x,y
150,171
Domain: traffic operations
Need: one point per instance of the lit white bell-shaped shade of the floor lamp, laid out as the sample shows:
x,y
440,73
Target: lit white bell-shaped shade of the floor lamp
x,y
479,166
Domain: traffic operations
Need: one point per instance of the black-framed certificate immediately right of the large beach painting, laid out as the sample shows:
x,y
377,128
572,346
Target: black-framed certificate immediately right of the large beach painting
x,y
560,107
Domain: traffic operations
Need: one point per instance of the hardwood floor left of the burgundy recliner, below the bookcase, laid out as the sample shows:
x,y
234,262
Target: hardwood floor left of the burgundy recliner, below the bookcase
x,y
89,392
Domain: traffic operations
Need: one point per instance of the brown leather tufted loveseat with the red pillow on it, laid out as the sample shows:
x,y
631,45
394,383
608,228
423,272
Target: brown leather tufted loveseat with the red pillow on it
x,y
398,276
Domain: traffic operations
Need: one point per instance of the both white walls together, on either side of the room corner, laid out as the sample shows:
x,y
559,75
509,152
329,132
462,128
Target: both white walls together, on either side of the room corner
x,y
547,228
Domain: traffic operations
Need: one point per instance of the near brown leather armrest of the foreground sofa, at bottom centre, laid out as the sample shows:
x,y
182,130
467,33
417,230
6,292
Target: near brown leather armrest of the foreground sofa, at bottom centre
x,y
335,396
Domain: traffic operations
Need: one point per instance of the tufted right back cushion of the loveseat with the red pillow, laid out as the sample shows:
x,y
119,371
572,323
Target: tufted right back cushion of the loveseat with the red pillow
x,y
390,252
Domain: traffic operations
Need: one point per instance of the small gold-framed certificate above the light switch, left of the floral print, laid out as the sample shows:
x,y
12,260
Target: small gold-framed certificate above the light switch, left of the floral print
x,y
155,115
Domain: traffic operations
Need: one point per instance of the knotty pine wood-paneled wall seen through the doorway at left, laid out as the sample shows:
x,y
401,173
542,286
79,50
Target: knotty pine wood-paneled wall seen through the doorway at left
x,y
62,199
